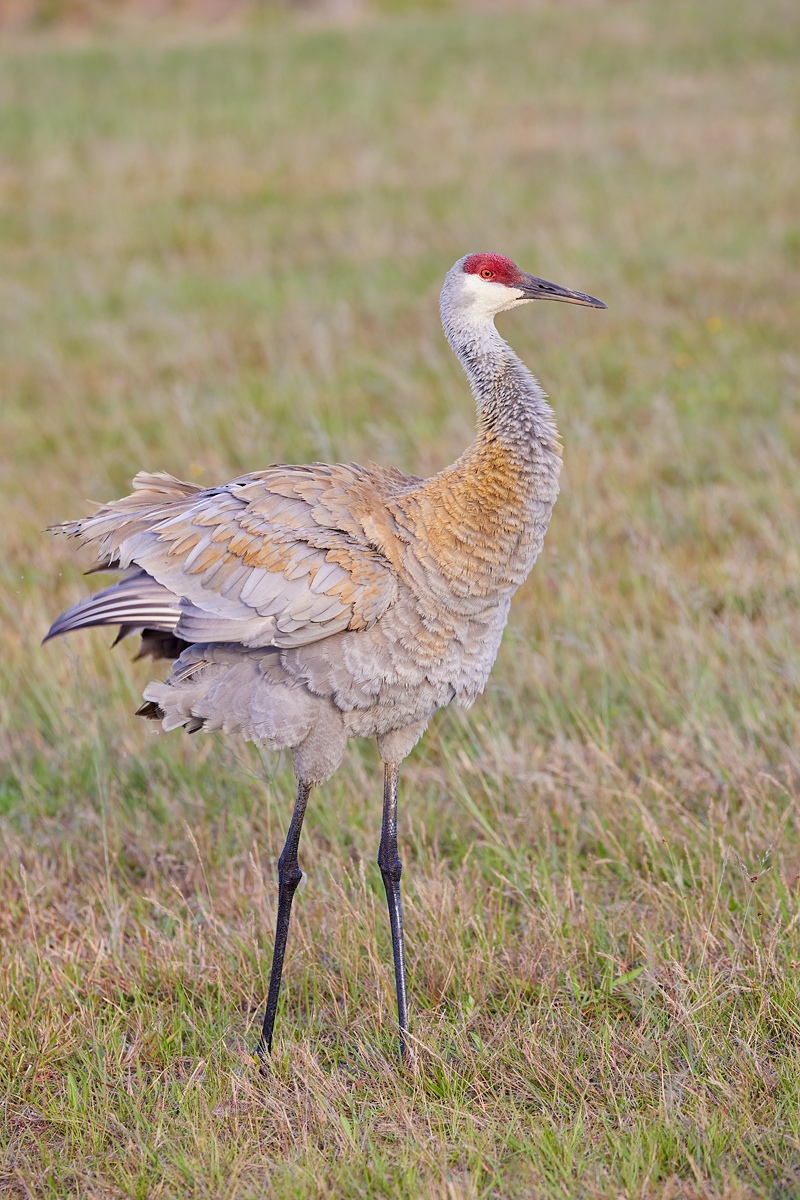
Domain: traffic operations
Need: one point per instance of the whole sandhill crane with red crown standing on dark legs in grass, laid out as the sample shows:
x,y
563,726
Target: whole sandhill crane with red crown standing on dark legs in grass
x,y
309,605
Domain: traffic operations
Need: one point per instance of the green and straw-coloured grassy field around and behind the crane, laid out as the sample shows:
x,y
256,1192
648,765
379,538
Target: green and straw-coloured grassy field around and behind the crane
x,y
224,250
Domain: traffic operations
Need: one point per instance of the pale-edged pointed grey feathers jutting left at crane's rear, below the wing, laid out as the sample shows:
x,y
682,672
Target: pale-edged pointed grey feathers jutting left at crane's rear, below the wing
x,y
135,604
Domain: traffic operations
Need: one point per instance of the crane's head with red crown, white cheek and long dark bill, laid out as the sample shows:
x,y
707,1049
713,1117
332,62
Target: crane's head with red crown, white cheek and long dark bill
x,y
485,285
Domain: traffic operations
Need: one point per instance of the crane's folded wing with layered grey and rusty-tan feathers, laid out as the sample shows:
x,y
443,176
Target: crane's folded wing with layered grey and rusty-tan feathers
x,y
284,557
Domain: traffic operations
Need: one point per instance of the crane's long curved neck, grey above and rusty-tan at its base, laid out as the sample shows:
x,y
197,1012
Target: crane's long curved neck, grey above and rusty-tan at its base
x,y
488,514
